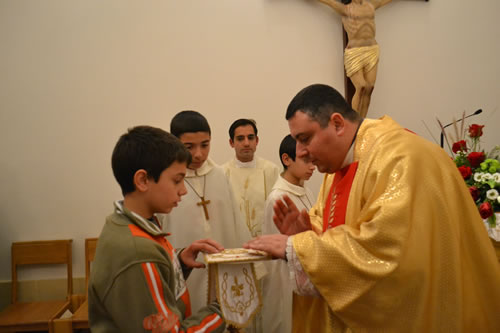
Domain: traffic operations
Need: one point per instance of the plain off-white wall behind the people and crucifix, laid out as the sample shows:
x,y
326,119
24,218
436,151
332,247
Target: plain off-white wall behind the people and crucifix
x,y
74,75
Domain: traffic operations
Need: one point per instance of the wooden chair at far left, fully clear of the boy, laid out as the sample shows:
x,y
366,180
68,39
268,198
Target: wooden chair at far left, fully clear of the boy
x,y
36,316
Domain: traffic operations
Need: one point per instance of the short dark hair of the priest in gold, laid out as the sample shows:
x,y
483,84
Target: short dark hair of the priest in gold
x,y
319,102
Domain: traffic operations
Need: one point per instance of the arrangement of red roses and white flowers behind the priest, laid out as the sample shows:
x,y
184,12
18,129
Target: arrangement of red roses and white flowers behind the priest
x,y
480,170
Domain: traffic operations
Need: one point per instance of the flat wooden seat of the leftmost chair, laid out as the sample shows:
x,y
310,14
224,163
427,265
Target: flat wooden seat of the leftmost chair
x,y
32,315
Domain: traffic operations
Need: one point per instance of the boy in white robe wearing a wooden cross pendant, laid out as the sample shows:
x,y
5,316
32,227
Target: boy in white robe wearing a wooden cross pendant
x,y
209,208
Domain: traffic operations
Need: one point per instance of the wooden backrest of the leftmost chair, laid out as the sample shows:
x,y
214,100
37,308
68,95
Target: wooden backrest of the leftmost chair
x,y
42,253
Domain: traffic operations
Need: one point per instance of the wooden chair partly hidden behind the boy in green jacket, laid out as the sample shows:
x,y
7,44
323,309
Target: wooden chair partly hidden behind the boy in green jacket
x,y
80,318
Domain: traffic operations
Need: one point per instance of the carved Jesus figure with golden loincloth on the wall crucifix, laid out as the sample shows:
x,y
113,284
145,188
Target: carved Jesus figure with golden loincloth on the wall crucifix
x,y
362,51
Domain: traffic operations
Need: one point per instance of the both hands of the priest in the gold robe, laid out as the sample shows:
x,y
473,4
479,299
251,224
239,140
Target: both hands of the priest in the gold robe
x,y
289,221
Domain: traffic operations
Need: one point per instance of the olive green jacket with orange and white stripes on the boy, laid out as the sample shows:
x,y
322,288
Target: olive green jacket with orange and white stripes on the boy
x,y
137,284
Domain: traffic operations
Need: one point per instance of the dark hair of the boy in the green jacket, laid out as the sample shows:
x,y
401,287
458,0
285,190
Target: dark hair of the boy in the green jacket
x,y
148,148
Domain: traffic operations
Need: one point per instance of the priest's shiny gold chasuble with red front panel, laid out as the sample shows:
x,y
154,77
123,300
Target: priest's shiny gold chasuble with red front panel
x,y
405,249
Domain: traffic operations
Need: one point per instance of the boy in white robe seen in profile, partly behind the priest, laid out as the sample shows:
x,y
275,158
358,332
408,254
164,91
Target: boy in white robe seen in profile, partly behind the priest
x,y
277,288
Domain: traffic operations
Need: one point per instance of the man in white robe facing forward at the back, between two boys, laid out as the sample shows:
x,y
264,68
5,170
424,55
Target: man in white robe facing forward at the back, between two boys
x,y
251,178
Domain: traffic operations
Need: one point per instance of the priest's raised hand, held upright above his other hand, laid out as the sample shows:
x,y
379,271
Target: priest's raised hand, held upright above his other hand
x,y
288,219
